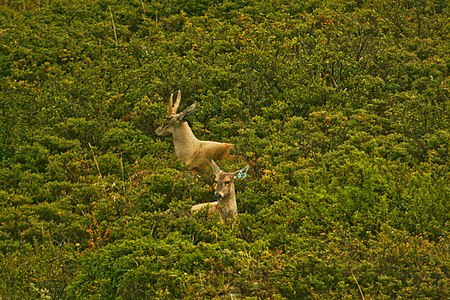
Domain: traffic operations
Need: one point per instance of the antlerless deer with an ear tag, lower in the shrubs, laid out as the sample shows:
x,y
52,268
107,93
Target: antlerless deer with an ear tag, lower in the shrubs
x,y
224,193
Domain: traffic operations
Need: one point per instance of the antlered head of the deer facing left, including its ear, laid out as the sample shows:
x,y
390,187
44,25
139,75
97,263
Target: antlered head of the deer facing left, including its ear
x,y
173,119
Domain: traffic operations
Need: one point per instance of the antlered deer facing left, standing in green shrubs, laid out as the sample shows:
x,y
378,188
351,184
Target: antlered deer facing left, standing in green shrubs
x,y
195,153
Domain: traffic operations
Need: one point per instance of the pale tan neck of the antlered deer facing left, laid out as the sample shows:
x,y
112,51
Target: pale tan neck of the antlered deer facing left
x,y
185,142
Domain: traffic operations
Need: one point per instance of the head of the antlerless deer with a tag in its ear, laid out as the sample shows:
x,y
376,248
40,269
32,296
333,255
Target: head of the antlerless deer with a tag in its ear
x,y
225,181
